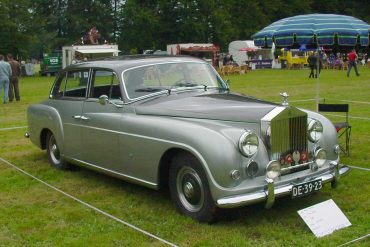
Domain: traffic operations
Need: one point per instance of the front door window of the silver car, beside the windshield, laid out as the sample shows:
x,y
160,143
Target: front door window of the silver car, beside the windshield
x,y
105,82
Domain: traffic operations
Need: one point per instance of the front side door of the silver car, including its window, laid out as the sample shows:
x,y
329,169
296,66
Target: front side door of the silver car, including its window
x,y
102,120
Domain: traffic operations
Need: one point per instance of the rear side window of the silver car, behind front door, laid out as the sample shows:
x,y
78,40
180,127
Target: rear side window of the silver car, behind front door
x,y
71,84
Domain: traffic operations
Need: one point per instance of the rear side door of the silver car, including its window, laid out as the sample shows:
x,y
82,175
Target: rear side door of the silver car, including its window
x,y
68,94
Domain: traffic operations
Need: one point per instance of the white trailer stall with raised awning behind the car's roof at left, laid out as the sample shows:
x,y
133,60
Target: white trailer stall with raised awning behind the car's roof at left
x,y
77,53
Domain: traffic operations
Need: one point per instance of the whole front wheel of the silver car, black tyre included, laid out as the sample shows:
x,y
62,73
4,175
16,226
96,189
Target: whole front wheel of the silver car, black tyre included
x,y
189,189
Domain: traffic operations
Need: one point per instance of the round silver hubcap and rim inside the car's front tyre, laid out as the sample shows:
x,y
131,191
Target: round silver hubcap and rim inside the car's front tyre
x,y
190,189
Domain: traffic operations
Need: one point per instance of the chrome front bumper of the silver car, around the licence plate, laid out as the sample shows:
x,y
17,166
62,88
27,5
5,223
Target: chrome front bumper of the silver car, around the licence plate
x,y
270,192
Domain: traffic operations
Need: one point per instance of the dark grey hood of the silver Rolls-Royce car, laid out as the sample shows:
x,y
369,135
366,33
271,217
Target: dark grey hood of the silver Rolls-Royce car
x,y
217,106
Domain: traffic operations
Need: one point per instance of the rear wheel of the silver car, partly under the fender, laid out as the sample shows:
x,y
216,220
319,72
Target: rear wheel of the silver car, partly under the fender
x,y
53,151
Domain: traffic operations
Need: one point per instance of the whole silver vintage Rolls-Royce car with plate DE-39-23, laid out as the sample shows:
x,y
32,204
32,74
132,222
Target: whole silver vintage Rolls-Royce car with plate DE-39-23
x,y
171,121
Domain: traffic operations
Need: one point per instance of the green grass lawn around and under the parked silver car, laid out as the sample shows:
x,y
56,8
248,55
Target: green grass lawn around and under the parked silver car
x,y
32,214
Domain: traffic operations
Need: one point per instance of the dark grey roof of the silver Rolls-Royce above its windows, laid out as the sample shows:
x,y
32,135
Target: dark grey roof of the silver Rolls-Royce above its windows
x,y
120,63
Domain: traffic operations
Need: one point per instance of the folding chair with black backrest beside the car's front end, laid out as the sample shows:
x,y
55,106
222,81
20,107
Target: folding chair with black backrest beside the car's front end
x,y
343,128
